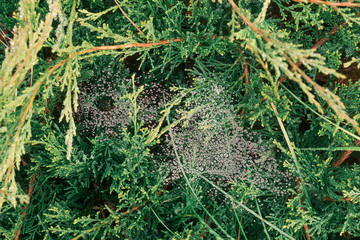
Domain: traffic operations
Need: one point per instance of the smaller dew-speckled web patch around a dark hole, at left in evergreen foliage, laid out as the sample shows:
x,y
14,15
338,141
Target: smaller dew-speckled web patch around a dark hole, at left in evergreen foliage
x,y
103,109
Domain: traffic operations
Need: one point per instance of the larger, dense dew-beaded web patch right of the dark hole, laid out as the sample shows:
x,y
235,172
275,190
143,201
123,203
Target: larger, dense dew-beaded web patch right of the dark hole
x,y
212,144
